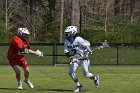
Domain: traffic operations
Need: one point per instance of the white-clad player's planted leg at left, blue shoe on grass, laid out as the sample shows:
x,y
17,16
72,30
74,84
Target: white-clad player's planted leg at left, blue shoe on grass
x,y
72,69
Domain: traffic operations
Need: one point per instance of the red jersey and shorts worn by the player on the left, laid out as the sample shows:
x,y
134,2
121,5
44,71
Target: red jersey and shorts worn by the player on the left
x,y
17,46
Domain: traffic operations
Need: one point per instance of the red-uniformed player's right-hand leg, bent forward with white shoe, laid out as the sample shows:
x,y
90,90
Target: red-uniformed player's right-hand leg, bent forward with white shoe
x,y
26,75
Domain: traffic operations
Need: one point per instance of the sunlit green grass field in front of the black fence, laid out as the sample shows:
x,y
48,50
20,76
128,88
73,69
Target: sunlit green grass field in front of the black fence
x,y
54,79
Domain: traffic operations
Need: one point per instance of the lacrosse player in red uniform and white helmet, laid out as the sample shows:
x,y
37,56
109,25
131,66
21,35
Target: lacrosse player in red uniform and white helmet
x,y
19,46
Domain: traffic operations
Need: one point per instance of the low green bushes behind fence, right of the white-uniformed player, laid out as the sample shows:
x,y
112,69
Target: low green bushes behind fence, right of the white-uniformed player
x,y
122,33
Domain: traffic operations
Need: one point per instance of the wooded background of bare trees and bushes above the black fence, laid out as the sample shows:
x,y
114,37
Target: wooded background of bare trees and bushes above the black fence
x,y
97,20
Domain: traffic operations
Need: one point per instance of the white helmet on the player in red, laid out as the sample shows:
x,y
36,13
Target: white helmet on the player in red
x,y
23,33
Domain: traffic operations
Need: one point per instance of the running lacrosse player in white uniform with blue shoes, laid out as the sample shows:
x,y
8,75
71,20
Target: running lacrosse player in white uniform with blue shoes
x,y
77,50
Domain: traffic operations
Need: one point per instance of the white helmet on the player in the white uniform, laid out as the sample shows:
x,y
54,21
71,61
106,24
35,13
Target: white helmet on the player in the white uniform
x,y
70,31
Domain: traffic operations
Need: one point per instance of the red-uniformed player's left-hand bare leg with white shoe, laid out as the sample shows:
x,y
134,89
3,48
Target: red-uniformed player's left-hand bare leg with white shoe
x,y
17,72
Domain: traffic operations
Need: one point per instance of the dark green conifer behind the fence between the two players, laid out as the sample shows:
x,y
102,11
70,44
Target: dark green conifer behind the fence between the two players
x,y
48,31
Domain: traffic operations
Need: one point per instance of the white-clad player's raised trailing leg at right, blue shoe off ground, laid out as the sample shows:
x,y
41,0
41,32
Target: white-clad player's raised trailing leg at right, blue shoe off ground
x,y
85,67
